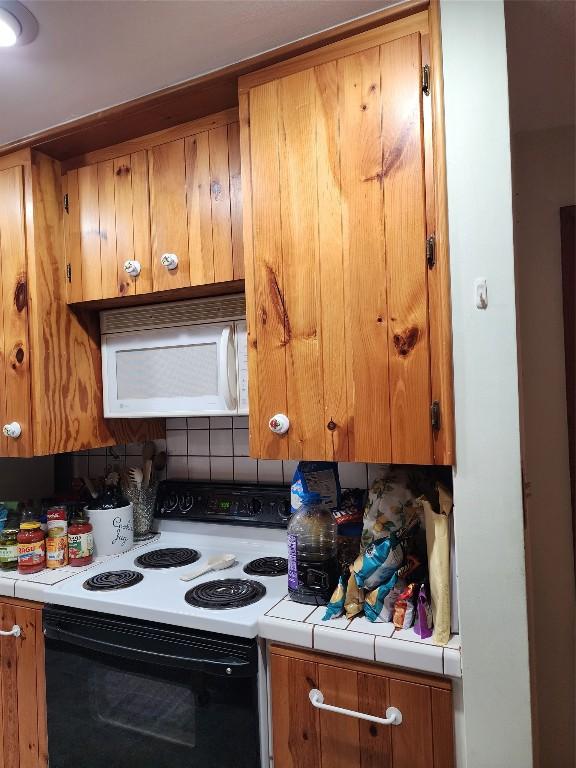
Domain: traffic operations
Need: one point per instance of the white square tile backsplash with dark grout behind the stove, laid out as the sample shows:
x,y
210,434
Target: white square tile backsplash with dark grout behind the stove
x,y
213,448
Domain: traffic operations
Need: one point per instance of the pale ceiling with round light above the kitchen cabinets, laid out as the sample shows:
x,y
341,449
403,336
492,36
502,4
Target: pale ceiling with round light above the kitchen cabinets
x,y
93,54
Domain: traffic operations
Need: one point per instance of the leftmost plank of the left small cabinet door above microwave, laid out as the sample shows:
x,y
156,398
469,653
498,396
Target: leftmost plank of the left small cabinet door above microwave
x,y
89,232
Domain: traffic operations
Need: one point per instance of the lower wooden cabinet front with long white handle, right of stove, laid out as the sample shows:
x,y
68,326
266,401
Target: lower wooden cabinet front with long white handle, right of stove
x,y
305,737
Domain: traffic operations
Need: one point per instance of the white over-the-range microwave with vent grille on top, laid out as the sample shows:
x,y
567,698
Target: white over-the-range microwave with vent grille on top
x,y
187,358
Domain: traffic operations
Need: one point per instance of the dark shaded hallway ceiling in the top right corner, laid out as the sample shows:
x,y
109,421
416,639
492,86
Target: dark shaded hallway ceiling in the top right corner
x,y
541,41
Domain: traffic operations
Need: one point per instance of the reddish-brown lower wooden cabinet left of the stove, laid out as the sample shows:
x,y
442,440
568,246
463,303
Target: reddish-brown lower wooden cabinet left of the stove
x,y
23,734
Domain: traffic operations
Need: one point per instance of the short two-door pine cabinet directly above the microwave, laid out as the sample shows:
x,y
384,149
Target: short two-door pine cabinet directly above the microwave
x,y
175,193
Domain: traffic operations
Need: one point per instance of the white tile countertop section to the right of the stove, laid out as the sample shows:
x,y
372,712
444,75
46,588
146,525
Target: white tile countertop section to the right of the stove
x,y
302,625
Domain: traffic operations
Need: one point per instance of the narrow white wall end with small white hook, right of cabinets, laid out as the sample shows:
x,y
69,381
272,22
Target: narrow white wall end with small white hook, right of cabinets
x,y
487,491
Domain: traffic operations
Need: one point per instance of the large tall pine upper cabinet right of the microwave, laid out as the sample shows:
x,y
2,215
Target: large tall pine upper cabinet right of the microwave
x,y
339,201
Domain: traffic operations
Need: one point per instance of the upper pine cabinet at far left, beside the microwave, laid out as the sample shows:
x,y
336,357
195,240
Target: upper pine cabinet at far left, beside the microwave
x,y
50,365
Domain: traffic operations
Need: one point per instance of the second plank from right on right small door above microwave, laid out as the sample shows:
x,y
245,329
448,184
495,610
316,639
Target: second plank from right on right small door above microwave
x,y
220,196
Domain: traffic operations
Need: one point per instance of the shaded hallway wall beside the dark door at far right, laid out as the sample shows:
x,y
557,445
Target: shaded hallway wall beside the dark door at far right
x,y
543,176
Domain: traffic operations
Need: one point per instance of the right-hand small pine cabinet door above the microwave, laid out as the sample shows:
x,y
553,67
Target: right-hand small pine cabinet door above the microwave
x,y
196,210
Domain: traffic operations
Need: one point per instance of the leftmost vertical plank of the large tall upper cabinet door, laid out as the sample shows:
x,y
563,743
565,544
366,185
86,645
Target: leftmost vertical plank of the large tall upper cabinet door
x,y
269,338
